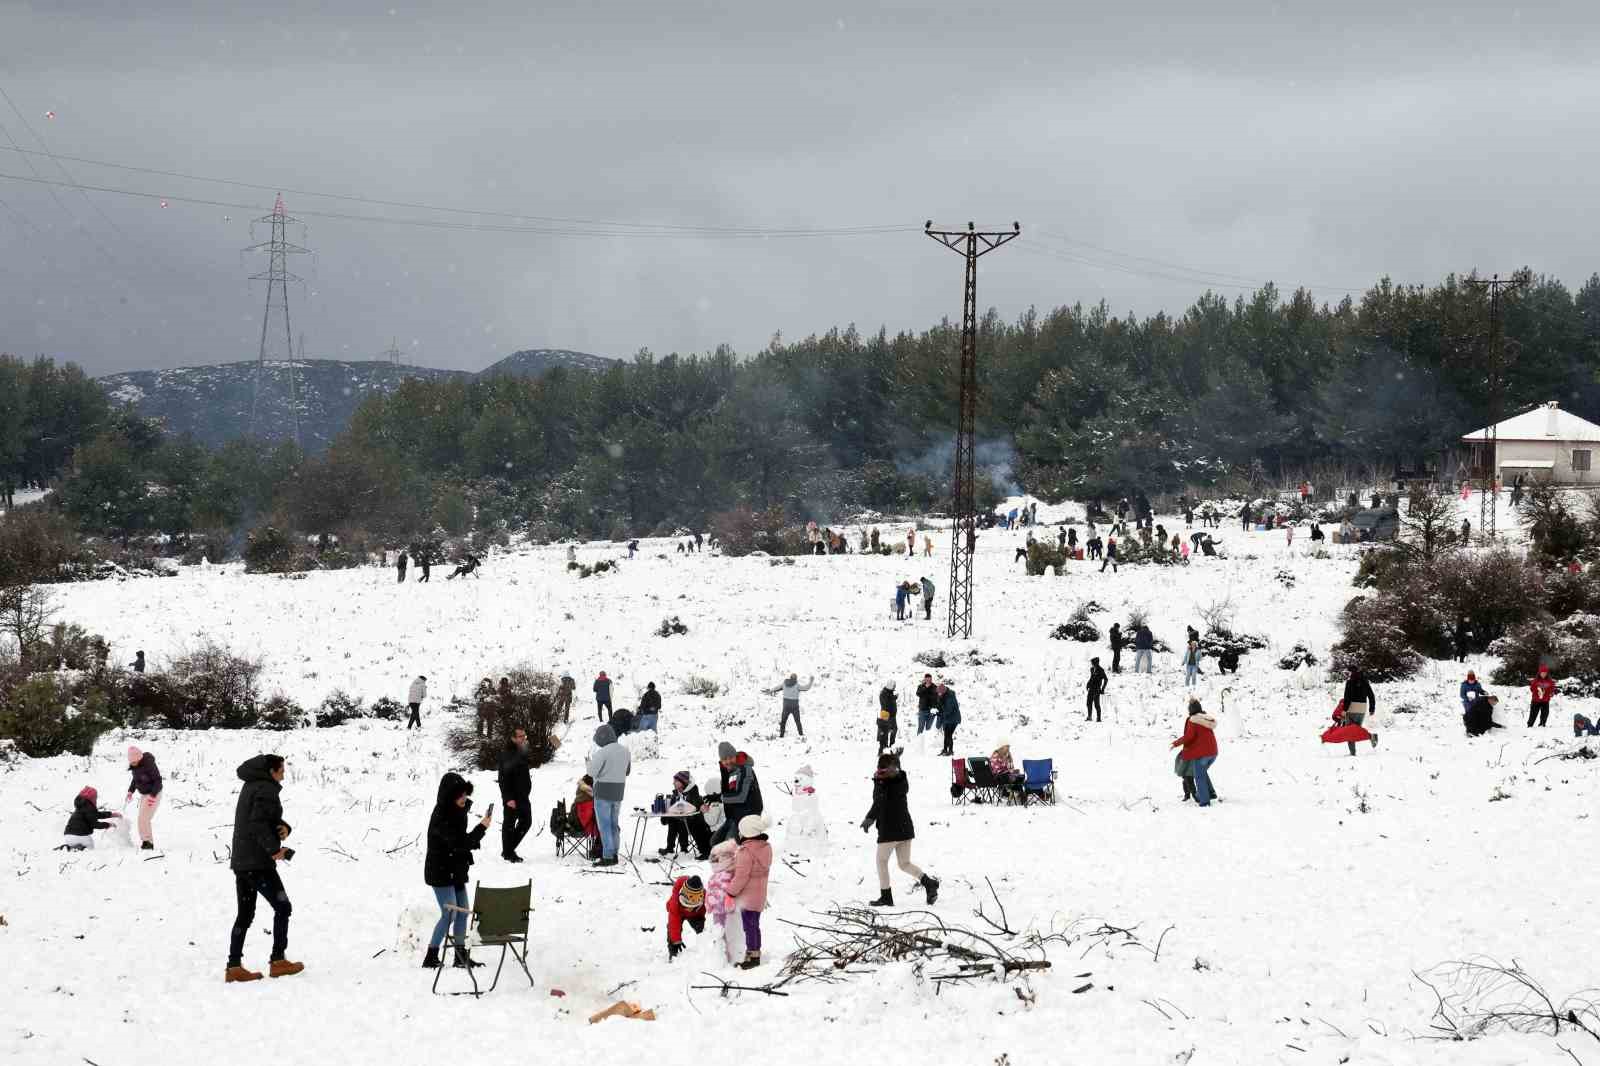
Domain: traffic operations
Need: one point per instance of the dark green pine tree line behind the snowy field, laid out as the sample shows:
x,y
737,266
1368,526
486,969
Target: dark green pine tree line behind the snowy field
x,y
1076,403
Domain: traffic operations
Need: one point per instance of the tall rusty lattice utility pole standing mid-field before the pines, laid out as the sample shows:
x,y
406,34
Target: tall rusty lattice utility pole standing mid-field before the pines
x,y
972,244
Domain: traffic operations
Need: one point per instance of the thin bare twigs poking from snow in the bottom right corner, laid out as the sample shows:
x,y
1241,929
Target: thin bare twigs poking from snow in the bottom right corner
x,y
1482,996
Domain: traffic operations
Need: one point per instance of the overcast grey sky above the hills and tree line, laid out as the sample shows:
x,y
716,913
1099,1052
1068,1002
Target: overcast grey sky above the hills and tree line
x,y
1324,145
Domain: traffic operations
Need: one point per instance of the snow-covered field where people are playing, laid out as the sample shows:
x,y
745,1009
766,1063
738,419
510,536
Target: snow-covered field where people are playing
x,y
1295,920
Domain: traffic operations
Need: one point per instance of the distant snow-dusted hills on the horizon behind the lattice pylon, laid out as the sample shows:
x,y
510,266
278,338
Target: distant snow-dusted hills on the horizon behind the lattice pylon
x,y
214,403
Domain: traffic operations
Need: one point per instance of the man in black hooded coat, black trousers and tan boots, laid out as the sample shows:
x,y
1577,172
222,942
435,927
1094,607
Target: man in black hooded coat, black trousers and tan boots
x,y
260,833
